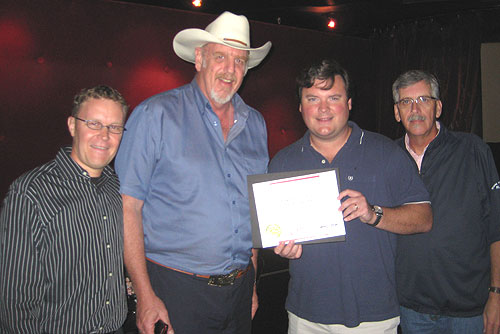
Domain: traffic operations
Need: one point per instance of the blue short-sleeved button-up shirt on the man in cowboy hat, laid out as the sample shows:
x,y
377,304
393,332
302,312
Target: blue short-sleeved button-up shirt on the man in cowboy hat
x,y
193,183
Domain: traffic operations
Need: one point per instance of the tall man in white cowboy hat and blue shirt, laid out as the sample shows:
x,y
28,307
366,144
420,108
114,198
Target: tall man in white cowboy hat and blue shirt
x,y
183,166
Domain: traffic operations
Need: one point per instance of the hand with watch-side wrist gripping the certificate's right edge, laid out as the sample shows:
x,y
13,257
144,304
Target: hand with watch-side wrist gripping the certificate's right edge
x,y
356,206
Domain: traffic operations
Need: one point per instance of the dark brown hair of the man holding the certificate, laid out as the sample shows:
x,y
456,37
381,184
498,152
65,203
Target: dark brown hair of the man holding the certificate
x,y
324,70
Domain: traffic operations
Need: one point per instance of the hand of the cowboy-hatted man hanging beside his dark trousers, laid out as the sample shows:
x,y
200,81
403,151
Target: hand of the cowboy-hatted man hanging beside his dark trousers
x,y
149,311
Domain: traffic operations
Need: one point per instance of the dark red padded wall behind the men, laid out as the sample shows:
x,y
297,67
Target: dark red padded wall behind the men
x,y
49,50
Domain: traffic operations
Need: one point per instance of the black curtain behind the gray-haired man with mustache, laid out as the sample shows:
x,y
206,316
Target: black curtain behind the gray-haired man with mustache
x,y
447,46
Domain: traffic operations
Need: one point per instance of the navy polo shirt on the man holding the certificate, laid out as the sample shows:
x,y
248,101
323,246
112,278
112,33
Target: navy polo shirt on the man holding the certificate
x,y
352,281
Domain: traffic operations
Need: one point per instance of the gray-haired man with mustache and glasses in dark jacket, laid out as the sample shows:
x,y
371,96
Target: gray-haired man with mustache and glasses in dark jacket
x,y
448,279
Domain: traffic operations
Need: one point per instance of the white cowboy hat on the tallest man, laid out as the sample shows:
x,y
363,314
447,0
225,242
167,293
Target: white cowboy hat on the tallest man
x,y
227,29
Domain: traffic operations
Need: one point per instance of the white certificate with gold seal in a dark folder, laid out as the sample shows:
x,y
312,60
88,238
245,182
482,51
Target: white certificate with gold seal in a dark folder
x,y
300,206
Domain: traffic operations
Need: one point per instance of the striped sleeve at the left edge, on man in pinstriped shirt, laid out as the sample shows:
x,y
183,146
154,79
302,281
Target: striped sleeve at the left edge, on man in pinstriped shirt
x,y
21,270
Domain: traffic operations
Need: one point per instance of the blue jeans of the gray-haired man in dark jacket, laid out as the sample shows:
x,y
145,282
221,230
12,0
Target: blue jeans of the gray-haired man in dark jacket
x,y
413,322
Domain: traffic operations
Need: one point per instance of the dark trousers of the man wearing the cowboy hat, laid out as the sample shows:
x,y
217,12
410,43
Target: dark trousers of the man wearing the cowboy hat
x,y
194,307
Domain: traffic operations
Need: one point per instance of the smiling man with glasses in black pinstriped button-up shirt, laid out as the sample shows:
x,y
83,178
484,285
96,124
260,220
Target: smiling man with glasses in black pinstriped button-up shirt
x,y
61,231
